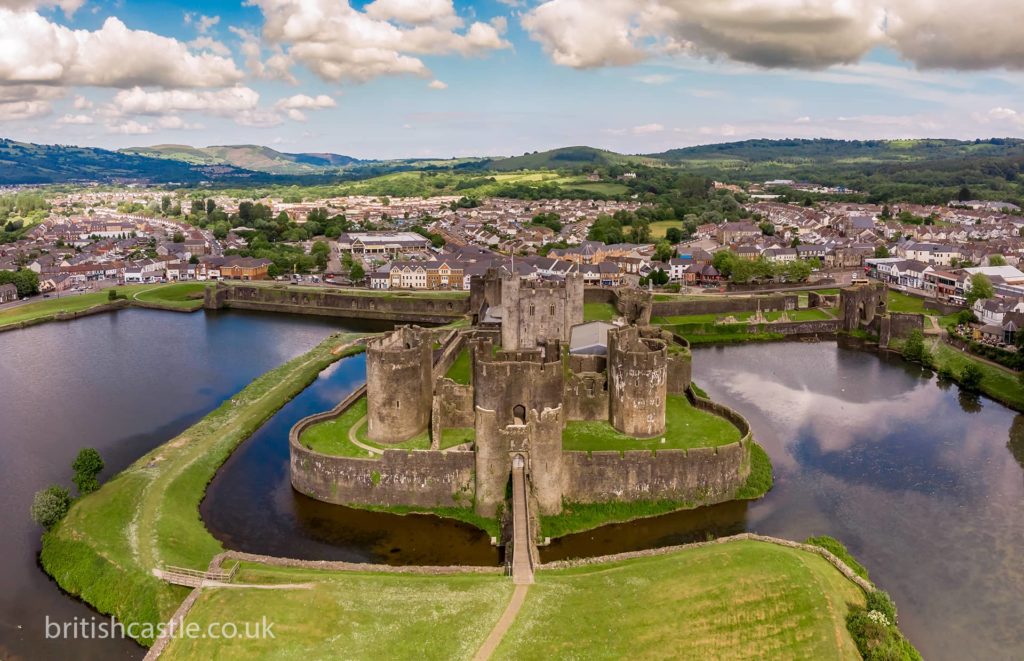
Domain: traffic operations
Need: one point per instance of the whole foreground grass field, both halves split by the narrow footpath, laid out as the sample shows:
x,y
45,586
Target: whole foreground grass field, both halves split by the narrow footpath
x,y
736,600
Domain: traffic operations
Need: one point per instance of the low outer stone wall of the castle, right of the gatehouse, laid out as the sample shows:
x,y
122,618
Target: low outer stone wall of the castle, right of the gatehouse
x,y
701,476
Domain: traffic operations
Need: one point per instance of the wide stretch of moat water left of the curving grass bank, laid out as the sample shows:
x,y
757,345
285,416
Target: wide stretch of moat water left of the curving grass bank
x,y
122,383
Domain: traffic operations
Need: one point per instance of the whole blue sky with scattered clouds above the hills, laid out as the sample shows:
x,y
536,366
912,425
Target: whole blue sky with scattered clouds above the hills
x,y
442,78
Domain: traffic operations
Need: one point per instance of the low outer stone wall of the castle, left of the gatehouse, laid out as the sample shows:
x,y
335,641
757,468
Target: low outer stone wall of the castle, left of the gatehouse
x,y
424,478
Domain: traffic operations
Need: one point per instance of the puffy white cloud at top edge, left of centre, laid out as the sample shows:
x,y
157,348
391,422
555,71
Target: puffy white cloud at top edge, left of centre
x,y
340,43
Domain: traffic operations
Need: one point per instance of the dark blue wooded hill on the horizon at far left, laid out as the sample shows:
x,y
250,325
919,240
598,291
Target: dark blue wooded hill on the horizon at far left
x,y
25,163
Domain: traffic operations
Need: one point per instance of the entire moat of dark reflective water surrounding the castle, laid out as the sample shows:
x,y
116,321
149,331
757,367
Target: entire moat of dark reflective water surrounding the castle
x,y
919,482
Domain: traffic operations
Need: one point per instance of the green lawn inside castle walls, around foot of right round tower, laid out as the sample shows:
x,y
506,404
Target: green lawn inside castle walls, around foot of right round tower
x,y
686,427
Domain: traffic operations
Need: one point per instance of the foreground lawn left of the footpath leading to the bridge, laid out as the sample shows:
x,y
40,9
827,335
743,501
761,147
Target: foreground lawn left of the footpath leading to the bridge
x,y
351,615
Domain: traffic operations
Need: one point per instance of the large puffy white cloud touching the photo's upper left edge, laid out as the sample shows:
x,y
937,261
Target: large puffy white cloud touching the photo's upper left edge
x,y
34,50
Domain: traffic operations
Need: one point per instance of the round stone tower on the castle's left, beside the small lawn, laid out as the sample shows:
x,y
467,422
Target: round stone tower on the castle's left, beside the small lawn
x,y
400,386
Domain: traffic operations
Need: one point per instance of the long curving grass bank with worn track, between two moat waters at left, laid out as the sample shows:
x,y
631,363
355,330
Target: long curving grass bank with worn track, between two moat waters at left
x,y
148,516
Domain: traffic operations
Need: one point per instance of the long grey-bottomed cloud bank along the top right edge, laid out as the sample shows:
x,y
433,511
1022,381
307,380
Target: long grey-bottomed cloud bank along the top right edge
x,y
798,34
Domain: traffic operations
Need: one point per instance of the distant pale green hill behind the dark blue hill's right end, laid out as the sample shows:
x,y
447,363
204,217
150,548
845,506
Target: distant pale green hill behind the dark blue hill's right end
x,y
249,157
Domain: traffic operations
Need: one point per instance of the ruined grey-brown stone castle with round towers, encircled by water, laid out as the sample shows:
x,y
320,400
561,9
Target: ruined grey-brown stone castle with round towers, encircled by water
x,y
535,370
